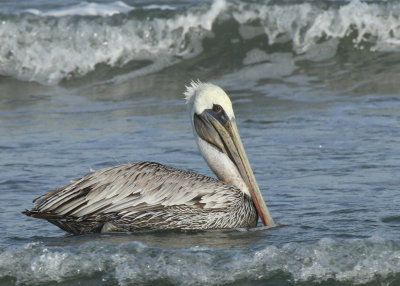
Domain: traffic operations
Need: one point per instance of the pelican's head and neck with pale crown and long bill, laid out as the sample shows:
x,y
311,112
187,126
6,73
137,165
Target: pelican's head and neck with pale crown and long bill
x,y
217,136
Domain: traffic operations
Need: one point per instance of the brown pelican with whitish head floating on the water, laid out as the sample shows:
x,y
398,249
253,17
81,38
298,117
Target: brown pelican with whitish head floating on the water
x,y
150,196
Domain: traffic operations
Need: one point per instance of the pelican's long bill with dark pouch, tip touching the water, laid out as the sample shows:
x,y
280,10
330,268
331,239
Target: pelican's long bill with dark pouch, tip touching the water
x,y
220,131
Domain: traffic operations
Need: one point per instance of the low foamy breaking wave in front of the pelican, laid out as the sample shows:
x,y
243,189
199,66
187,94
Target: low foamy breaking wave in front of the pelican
x,y
132,263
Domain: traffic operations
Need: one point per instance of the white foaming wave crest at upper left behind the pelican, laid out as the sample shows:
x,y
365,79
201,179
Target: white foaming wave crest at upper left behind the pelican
x,y
48,49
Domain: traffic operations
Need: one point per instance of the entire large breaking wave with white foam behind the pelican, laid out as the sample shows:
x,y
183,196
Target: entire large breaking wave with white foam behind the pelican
x,y
70,42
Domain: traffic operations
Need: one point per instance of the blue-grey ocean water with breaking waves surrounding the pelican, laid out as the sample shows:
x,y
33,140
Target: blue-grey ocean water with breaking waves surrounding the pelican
x,y
316,92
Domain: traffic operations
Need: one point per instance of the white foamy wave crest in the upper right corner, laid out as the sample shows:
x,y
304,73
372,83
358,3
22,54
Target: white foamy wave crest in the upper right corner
x,y
307,24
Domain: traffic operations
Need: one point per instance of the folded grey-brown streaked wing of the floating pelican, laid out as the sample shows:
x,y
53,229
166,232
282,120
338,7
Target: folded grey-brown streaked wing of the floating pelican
x,y
132,189
